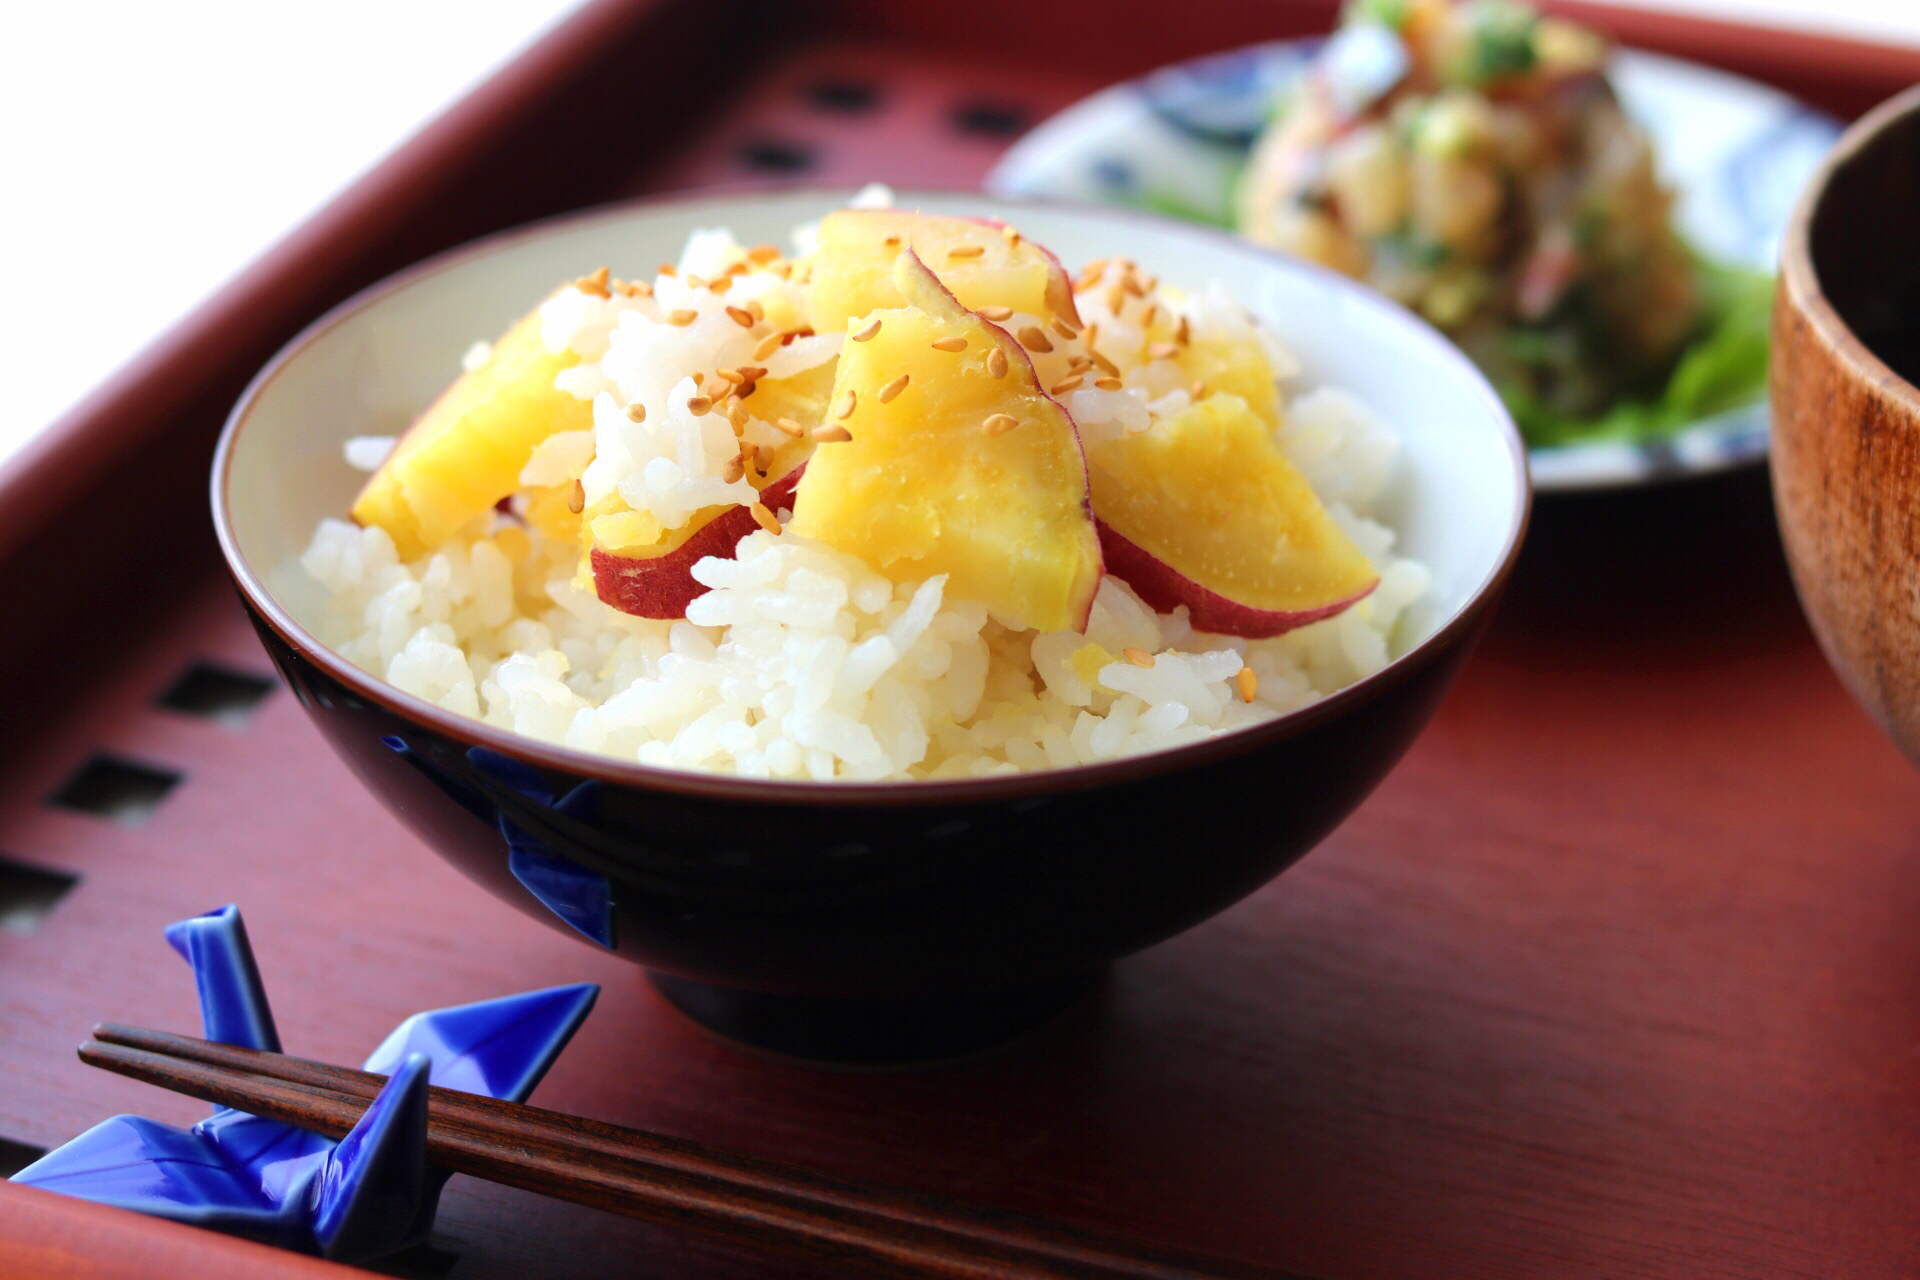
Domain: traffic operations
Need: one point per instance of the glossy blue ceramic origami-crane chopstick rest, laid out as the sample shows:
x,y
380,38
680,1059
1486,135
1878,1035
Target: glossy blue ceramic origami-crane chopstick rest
x,y
352,1200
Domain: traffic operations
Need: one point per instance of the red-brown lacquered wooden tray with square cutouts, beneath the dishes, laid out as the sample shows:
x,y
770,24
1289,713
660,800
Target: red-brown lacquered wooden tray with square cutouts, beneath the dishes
x,y
1620,974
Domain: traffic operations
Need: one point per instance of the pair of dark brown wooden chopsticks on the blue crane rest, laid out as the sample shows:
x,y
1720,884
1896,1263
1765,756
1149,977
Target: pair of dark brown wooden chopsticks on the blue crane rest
x,y
669,1181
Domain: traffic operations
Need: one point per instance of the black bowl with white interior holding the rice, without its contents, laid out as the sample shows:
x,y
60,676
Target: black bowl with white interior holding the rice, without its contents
x,y
875,922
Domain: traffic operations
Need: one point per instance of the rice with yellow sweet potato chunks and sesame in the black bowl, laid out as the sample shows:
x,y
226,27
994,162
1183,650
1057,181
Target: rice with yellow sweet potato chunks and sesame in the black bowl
x,y
907,502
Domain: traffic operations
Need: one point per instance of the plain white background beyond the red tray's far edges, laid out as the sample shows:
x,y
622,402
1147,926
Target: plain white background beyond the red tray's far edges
x,y
151,151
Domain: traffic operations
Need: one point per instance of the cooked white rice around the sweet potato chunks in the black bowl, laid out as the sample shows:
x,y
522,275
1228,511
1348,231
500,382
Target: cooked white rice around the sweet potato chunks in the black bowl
x,y
802,661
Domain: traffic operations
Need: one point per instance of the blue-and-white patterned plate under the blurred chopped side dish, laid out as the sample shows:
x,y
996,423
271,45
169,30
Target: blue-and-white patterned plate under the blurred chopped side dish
x,y
1735,151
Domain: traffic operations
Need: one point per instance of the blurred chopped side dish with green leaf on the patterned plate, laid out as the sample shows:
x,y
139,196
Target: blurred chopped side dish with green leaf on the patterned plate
x,y
1474,162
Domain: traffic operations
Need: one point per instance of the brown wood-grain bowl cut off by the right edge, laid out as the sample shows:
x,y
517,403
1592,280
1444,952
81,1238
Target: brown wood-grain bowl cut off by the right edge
x,y
1848,417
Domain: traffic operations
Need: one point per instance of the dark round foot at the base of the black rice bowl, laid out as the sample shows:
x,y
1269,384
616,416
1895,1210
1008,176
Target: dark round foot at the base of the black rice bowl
x,y
871,1033
